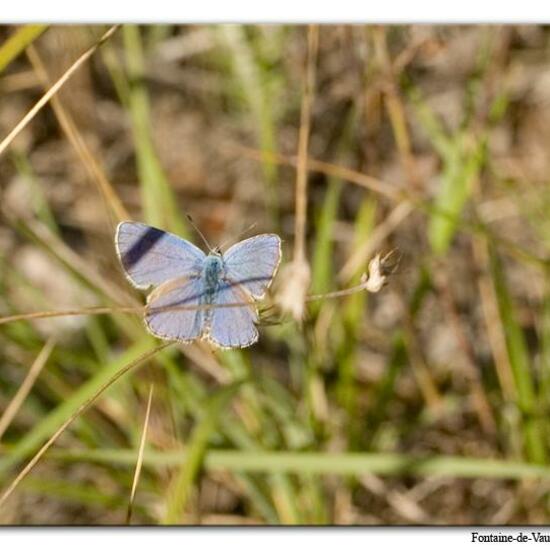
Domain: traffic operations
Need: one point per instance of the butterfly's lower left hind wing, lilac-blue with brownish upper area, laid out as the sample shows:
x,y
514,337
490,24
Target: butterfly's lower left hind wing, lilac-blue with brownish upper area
x,y
172,312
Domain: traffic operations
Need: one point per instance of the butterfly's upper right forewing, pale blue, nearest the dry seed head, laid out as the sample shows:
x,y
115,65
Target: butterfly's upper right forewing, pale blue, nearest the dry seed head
x,y
252,263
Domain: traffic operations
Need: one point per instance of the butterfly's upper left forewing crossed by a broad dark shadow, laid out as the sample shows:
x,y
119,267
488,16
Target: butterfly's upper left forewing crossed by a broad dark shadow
x,y
151,256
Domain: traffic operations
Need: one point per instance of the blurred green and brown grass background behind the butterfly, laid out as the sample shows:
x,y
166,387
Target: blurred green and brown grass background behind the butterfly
x,y
425,403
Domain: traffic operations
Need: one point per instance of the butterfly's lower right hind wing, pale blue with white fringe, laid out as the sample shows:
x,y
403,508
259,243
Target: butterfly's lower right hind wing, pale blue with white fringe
x,y
232,327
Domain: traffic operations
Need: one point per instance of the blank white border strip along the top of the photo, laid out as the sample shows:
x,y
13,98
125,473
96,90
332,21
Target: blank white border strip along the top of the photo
x,y
281,11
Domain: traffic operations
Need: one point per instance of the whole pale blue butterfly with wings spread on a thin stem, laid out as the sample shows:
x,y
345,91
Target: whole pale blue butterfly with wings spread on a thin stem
x,y
184,276
